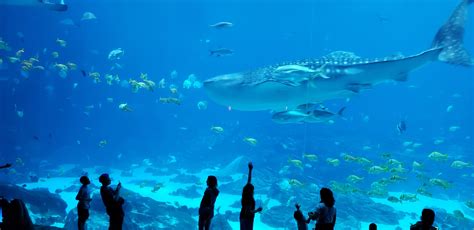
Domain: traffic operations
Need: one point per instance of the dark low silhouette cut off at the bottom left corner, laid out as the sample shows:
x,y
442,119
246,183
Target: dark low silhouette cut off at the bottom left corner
x,y
15,215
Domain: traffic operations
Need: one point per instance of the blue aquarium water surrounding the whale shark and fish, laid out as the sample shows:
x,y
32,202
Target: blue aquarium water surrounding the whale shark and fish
x,y
161,36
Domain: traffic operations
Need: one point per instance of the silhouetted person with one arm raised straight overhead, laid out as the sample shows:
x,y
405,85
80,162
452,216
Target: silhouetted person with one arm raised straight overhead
x,y
247,213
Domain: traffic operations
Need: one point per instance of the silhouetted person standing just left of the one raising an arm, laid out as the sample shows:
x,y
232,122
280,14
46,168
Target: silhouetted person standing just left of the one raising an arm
x,y
206,209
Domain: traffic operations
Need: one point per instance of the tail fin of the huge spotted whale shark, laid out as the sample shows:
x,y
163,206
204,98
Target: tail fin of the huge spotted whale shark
x,y
450,37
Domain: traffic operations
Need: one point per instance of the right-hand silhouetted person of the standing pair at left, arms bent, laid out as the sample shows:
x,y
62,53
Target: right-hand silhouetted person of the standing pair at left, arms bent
x,y
112,201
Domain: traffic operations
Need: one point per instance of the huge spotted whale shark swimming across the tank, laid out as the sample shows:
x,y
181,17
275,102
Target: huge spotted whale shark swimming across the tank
x,y
339,74
